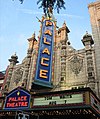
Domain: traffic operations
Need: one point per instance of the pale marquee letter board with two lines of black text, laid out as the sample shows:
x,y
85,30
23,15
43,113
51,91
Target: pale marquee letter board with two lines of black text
x,y
58,100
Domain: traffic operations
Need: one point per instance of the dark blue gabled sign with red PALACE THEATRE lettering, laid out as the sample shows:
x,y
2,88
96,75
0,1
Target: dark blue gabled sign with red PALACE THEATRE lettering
x,y
17,99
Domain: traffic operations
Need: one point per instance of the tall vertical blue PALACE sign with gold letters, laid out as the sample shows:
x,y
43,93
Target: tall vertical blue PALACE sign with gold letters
x,y
44,62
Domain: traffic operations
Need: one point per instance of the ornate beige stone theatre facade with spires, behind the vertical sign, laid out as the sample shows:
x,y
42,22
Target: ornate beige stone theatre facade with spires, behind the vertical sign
x,y
71,68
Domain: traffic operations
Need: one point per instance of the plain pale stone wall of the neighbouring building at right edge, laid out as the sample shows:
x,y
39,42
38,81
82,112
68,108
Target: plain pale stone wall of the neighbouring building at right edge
x,y
94,10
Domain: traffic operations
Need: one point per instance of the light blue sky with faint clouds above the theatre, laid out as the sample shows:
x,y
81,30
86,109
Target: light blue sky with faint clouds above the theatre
x,y
18,22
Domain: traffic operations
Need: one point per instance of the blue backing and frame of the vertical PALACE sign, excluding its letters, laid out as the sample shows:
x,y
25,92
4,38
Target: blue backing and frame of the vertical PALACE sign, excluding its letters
x,y
49,39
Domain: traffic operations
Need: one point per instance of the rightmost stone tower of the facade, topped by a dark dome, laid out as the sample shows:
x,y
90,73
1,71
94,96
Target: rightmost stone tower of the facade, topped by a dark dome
x,y
88,42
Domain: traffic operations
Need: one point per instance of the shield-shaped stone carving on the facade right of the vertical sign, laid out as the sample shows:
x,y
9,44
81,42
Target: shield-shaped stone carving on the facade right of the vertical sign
x,y
76,64
